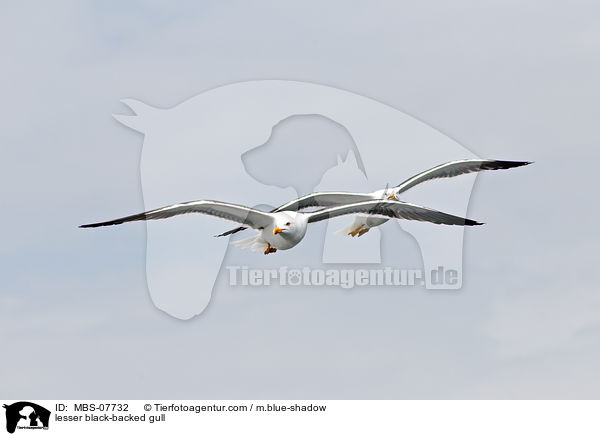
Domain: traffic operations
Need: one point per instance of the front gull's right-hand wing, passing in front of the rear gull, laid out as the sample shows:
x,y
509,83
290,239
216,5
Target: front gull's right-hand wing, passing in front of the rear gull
x,y
392,209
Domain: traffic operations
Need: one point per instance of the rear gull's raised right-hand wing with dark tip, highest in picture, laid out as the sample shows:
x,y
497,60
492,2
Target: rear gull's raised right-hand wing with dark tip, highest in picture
x,y
456,168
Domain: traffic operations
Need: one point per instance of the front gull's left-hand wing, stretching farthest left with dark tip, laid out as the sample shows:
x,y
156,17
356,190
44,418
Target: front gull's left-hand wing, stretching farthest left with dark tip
x,y
232,212
